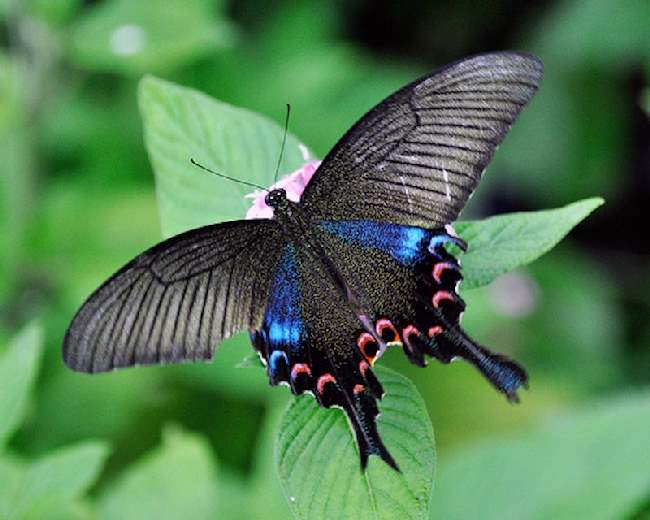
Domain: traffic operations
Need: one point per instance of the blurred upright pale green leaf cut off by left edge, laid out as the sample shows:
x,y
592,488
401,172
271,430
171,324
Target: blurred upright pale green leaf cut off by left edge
x,y
18,369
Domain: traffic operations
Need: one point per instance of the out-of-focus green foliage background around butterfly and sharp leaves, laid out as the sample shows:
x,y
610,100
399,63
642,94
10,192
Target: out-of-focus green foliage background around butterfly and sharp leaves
x,y
77,200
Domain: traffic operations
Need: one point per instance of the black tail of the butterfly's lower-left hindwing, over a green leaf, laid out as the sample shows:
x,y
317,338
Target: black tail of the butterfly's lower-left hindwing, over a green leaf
x,y
361,409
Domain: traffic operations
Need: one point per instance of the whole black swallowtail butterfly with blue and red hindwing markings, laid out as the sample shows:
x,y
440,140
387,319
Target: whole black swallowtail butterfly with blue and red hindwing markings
x,y
329,282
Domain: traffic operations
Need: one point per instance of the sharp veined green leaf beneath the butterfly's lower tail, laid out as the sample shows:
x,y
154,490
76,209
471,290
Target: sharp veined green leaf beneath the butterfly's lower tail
x,y
319,463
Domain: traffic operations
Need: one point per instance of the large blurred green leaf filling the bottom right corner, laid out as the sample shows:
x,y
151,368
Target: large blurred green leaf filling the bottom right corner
x,y
591,463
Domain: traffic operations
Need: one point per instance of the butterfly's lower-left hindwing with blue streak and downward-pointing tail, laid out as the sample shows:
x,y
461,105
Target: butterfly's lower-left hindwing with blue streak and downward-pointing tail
x,y
307,341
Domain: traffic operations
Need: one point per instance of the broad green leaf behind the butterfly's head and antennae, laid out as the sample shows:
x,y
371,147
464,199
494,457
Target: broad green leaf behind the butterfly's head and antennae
x,y
181,123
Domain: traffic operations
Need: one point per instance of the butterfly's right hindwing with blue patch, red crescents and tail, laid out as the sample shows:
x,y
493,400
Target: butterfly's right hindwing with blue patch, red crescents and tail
x,y
408,280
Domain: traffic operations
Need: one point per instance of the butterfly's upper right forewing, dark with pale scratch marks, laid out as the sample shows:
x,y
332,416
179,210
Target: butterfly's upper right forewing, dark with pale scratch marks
x,y
419,154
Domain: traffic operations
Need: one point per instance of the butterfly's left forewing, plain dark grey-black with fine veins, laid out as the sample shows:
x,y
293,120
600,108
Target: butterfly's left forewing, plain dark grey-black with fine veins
x,y
178,300
